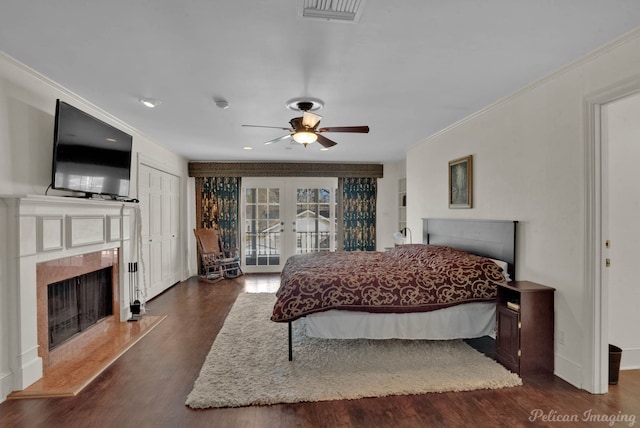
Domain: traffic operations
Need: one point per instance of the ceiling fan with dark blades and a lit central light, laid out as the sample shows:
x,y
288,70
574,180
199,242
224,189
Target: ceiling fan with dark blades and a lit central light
x,y
304,129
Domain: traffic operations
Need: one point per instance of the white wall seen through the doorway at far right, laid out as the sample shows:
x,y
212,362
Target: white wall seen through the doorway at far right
x,y
623,142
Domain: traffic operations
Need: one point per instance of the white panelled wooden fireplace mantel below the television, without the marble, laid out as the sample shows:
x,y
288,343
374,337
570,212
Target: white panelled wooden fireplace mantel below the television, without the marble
x,y
42,228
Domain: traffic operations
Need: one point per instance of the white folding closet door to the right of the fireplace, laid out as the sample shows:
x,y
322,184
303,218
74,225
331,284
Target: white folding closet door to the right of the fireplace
x,y
159,204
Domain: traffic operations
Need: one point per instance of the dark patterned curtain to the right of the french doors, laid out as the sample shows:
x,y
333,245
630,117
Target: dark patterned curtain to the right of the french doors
x,y
359,214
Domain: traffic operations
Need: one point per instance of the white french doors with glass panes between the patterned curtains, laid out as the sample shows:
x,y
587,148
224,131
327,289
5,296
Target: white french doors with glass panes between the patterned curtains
x,y
286,216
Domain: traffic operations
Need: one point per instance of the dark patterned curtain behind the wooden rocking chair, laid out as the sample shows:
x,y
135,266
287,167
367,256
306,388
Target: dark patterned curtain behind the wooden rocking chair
x,y
217,201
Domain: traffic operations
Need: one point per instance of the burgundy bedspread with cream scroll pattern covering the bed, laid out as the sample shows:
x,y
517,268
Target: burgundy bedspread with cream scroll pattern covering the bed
x,y
408,278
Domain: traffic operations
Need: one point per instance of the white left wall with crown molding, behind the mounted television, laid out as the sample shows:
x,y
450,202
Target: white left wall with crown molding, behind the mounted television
x,y
27,108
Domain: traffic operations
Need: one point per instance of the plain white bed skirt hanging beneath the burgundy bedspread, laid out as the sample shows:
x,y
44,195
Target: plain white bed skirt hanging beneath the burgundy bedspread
x,y
464,321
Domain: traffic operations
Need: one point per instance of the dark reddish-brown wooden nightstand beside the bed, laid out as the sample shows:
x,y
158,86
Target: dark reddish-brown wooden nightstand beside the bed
x,y
524,327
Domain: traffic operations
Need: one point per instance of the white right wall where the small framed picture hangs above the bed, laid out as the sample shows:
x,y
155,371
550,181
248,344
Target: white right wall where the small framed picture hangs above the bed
x,y
529,165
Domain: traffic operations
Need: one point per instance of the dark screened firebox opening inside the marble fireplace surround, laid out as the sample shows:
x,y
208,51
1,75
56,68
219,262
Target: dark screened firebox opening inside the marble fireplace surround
x,y
77,303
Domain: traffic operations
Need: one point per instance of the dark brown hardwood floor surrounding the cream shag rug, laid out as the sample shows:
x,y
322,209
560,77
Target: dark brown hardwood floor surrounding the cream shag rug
x,y
148,385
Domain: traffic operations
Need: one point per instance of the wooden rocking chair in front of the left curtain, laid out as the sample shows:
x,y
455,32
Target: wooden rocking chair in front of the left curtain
x,y
218,262
